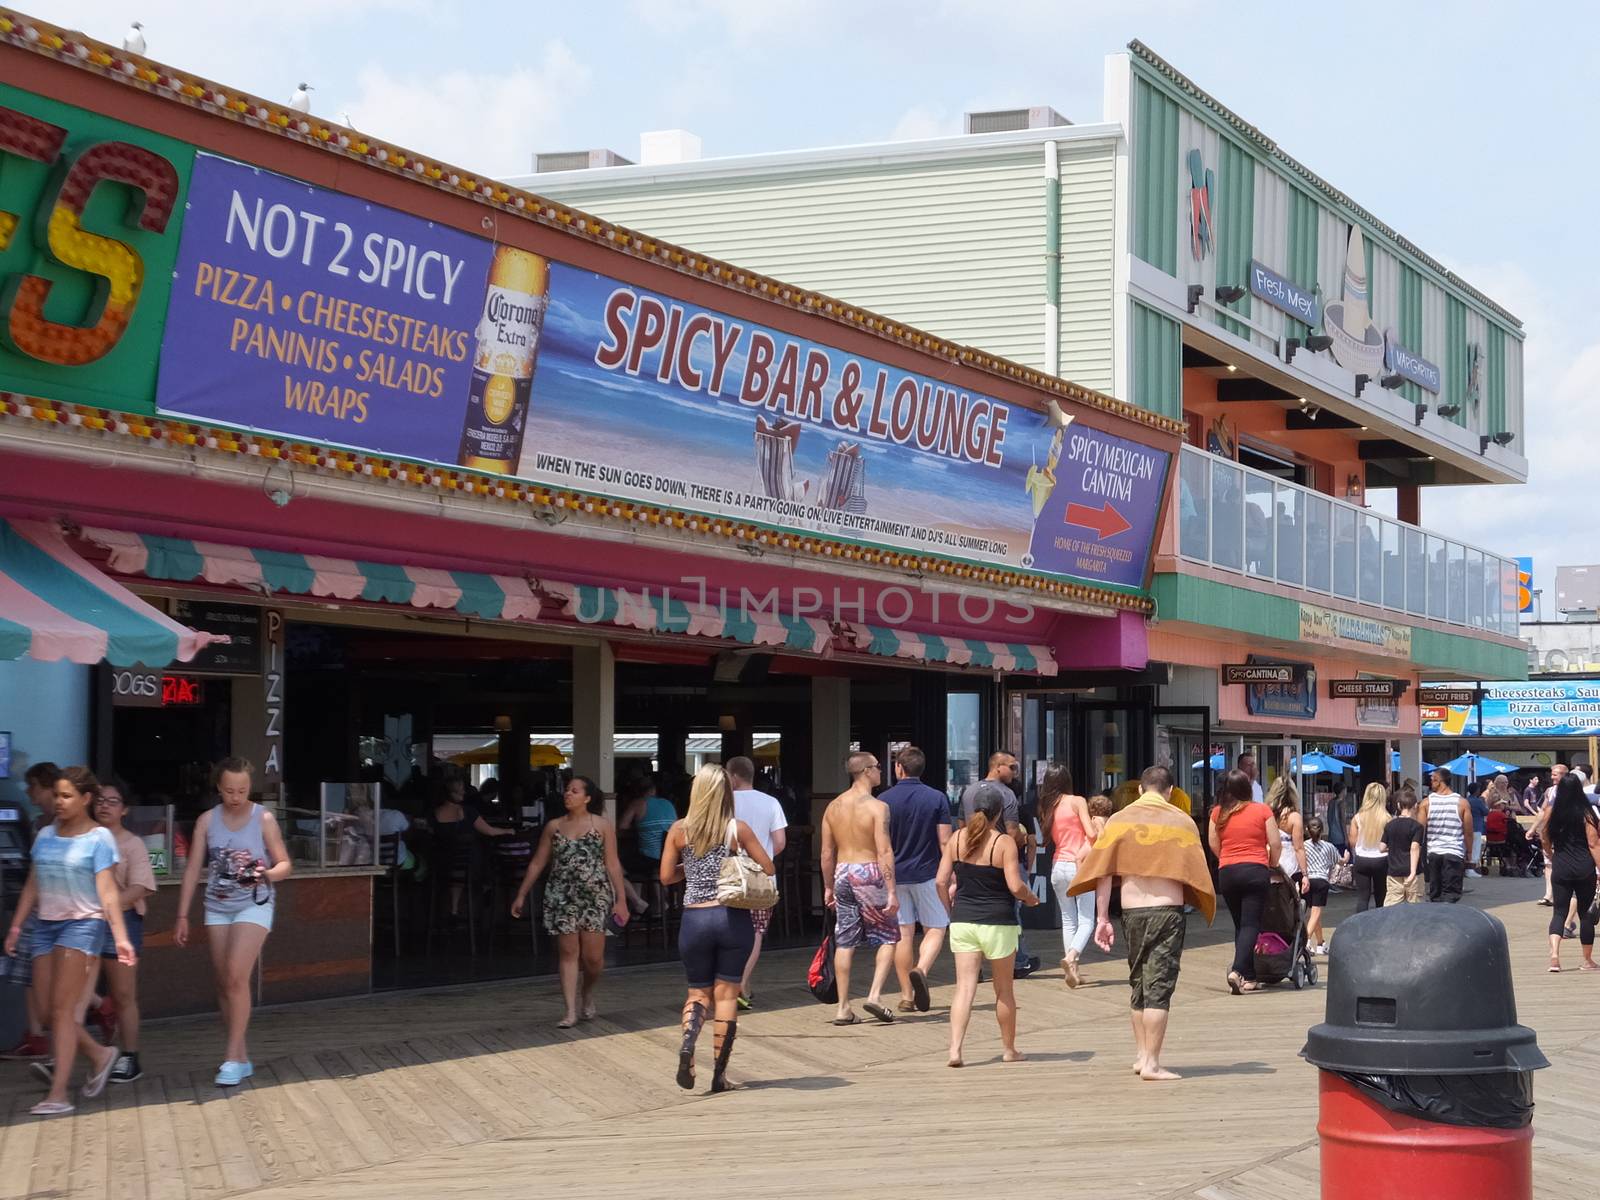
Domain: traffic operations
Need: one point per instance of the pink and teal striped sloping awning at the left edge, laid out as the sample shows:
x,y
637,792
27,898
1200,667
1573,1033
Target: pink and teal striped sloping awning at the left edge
x,y
55,606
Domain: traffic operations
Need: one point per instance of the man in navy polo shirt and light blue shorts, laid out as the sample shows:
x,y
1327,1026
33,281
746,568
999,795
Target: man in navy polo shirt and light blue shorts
x,y
919,828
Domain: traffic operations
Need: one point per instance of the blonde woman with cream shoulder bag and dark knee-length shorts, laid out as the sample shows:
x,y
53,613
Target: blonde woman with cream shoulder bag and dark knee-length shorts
x,y
714,942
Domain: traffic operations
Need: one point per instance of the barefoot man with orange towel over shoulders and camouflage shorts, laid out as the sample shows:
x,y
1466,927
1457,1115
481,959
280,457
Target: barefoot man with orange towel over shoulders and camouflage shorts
x,y
1156,850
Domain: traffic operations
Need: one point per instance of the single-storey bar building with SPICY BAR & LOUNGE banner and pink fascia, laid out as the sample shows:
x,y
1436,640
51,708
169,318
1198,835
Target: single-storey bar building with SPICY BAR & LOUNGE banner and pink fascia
x,y
346,460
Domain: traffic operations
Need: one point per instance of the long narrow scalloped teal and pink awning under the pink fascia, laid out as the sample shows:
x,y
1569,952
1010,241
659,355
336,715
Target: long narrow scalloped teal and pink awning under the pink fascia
x,y
543,601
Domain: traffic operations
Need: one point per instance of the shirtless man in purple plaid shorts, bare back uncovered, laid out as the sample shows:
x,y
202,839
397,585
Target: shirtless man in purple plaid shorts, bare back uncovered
x,y
858,882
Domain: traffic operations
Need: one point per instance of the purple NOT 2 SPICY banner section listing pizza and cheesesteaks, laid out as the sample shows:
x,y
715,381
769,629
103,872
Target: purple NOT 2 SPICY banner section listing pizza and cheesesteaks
x,y
319,316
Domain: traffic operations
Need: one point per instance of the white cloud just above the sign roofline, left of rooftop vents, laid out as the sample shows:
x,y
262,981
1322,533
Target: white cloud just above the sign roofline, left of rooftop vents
x,y
487,122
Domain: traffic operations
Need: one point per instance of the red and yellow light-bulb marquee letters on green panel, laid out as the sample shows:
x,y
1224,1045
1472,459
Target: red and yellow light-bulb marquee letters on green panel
x,y
116,266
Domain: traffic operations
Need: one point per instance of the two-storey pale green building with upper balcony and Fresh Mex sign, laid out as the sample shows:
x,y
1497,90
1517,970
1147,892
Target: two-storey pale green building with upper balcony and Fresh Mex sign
x,y
1178,258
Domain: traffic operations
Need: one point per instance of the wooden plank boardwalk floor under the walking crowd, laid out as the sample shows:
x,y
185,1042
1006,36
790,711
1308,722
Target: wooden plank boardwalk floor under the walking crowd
x,y
474,1092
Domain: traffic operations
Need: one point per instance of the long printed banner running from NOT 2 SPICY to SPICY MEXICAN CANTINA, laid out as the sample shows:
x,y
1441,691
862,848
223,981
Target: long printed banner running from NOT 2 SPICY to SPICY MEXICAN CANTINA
x,y
319,316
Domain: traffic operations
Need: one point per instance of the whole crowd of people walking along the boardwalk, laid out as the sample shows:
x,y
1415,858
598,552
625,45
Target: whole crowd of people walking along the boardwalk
x,y
892,860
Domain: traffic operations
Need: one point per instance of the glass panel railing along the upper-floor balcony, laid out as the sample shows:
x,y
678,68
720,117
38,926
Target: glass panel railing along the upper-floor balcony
x,y
1265,529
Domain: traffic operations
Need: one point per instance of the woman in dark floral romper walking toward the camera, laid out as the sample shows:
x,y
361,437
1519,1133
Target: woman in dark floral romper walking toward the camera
x,y
585,889
